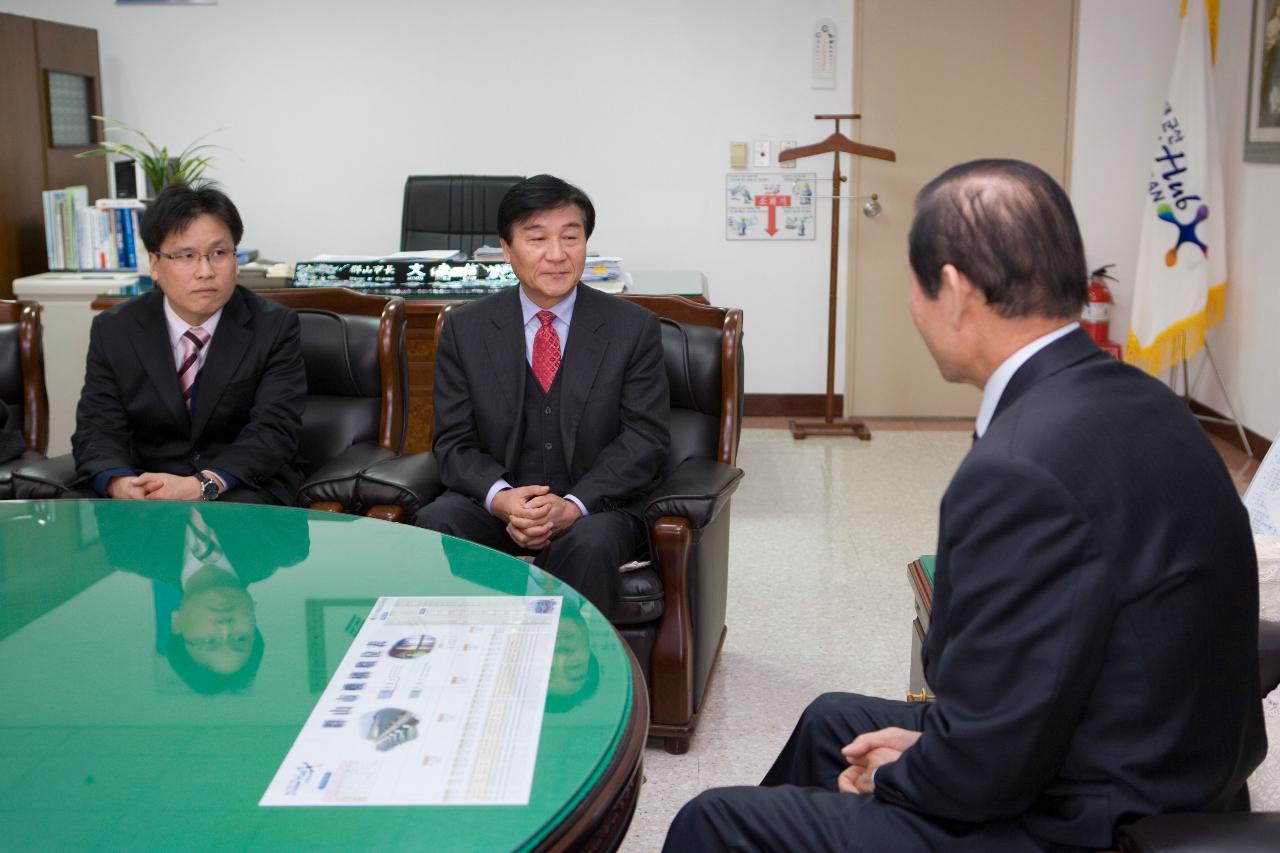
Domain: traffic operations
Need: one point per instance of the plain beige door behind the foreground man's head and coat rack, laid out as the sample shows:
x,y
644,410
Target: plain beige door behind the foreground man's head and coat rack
x,y
940,84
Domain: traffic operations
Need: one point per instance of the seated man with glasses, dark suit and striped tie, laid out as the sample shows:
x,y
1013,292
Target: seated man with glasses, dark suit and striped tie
x,y
194,391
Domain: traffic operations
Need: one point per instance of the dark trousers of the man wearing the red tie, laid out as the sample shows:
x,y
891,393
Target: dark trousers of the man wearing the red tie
x,y
587,556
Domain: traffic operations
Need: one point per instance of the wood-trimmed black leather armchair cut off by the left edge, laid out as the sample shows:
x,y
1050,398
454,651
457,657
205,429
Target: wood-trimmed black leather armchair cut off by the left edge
x,y
22,385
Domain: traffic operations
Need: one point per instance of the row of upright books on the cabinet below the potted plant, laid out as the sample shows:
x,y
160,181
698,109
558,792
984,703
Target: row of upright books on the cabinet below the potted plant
x,y
103,236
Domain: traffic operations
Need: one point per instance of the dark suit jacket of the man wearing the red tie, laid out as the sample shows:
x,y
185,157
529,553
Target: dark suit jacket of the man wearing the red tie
x,y
615,404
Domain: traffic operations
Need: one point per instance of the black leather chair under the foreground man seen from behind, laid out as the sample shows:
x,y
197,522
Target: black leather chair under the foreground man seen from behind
x,y
1222,832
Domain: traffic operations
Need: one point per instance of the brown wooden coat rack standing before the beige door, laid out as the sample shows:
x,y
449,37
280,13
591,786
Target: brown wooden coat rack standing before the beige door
x,y
835,144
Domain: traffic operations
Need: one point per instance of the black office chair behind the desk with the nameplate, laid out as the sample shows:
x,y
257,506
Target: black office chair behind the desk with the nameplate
x,y
452,211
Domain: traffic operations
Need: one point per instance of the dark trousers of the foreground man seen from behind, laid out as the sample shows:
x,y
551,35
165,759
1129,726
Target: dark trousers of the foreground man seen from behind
x,y
798,806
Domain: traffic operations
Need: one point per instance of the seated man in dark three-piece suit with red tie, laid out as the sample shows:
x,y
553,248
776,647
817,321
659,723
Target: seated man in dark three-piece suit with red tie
x,y
551,404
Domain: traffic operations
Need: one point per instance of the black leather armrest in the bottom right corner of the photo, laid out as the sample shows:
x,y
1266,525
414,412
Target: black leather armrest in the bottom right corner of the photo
x,y
1204,833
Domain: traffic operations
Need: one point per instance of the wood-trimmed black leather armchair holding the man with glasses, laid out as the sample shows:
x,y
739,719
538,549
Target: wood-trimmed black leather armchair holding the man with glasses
x,y
356,410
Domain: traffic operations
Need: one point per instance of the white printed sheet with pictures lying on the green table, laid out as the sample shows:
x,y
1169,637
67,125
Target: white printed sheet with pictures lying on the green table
x,y
438,703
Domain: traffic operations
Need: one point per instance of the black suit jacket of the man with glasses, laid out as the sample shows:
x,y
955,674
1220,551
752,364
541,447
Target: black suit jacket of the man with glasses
x,y
249,398
